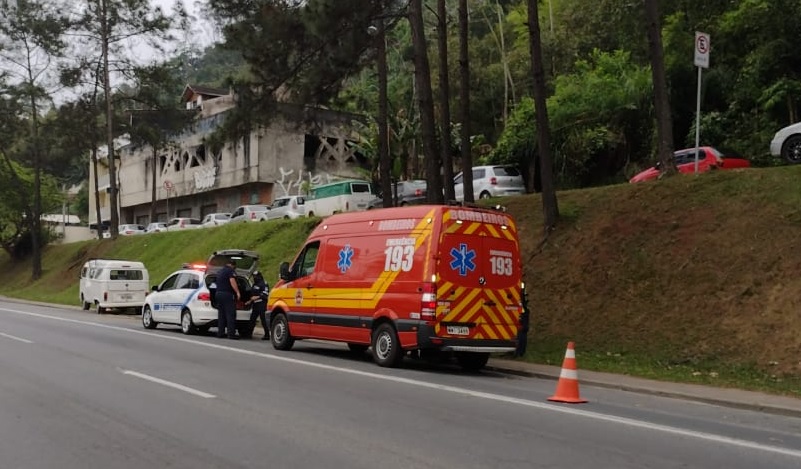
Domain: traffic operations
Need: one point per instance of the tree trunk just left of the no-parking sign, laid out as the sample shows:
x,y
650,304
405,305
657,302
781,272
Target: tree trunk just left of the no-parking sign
x,y
661,98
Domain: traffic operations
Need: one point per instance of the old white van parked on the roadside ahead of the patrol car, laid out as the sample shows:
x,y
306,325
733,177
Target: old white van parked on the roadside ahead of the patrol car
x,y
111,283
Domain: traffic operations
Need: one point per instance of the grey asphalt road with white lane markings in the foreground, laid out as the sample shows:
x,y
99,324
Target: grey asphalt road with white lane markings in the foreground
x,y
84,391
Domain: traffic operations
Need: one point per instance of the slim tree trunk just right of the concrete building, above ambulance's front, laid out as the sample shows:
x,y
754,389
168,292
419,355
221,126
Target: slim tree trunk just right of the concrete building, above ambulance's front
x,y
384,159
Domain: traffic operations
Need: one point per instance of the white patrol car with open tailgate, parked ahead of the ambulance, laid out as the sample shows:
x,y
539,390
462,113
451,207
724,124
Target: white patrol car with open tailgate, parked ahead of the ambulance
x,y
186,296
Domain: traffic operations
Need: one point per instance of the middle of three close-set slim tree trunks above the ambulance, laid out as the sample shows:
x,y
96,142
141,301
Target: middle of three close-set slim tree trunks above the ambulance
x,y
444,98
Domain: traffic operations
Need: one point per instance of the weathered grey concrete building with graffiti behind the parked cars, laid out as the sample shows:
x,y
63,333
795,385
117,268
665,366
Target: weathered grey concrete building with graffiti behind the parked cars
x,y
299,148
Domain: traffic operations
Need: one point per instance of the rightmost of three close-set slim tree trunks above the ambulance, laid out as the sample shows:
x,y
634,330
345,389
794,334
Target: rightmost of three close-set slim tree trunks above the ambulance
x,y
464,103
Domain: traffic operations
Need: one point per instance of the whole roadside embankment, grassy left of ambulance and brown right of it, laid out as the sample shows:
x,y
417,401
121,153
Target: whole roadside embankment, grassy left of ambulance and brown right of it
x,y
689,279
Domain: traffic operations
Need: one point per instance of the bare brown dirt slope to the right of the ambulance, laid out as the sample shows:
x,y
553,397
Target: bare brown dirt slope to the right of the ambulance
x,y
689,270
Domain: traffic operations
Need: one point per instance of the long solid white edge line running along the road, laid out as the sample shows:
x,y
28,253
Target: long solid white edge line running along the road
x,y
453,389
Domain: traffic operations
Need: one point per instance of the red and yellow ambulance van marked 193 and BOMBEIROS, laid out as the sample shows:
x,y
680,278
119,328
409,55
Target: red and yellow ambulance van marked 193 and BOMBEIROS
x,y
416,278
